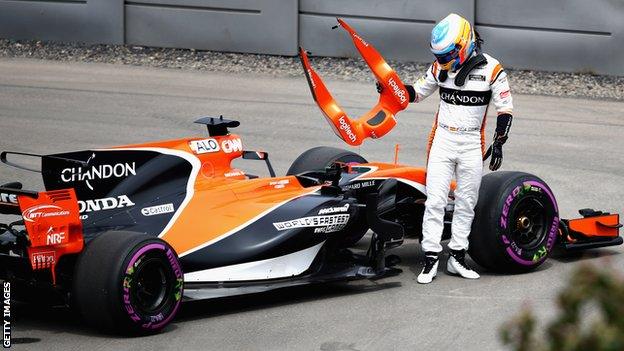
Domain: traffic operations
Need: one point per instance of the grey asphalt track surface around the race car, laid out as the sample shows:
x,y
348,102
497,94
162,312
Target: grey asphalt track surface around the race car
x,y
575,145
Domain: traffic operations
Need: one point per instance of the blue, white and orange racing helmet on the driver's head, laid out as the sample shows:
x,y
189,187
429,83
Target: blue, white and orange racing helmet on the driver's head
x,y
452,42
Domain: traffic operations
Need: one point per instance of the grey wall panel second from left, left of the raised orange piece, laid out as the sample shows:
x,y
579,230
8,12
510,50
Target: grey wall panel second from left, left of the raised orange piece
x,y
258,26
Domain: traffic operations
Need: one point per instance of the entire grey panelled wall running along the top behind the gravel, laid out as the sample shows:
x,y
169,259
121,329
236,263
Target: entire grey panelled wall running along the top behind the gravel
x,y
555,35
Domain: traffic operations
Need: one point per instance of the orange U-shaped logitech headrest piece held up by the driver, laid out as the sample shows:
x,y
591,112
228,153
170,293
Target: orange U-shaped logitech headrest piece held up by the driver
x,y
380,119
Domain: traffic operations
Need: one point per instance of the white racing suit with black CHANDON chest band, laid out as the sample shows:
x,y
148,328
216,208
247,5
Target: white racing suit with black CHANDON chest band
x,y
457,145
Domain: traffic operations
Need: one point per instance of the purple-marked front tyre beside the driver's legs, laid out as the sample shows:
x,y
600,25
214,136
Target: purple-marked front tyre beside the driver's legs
x,y
516,223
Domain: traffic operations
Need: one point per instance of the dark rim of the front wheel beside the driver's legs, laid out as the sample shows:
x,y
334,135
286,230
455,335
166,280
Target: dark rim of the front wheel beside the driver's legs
x,y
529,223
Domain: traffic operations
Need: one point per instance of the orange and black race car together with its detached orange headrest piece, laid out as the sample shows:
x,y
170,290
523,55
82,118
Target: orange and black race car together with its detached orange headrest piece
x,y
126,233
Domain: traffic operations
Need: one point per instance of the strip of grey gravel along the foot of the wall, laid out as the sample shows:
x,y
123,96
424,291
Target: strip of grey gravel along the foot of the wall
x,y
523,81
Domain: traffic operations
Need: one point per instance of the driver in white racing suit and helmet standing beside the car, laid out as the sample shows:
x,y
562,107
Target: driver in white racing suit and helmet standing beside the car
x,y
467,80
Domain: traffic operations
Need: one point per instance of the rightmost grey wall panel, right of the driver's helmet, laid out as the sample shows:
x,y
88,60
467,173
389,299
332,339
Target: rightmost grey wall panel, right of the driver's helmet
x,y
555,35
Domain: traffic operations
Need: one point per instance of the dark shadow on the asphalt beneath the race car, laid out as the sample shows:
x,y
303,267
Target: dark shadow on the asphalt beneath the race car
x,y
31,318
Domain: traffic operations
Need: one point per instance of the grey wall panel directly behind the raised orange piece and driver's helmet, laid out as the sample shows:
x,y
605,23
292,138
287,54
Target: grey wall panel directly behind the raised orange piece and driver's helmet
x,y
399,29
